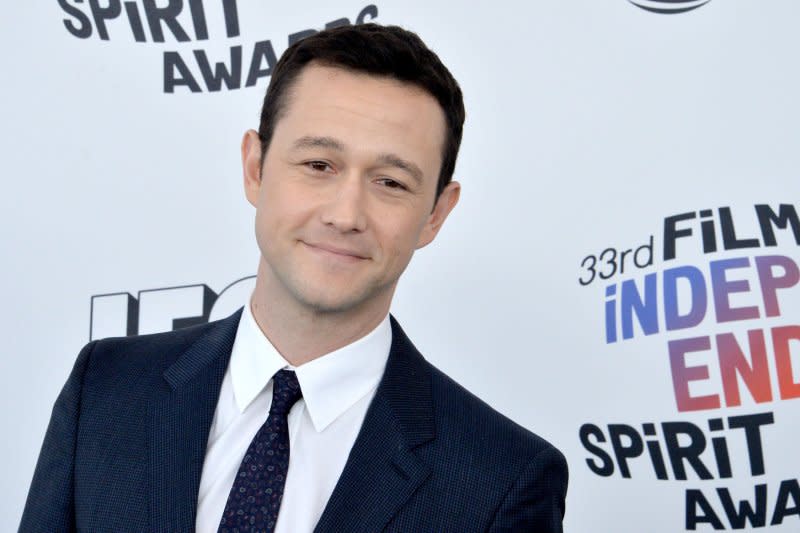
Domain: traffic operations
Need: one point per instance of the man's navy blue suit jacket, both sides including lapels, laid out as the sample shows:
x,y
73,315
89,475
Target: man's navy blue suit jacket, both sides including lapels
x,y
125,446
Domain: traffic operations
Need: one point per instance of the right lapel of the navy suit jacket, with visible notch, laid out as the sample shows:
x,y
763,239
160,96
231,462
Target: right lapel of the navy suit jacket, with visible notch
x,y
382,471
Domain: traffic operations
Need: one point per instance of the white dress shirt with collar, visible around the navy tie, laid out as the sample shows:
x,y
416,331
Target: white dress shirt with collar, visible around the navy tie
x,y
337,389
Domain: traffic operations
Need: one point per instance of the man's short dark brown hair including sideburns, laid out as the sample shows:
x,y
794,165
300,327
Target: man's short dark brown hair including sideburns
x,y
370,48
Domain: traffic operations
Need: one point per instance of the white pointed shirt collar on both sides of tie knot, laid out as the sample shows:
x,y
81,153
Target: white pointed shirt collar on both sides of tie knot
x,y
331,383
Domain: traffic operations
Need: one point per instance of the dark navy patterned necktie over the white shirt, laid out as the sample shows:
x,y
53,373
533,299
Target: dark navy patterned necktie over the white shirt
x,y
255,497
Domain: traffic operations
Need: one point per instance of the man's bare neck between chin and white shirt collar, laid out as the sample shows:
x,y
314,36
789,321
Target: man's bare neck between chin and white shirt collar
x,y
301,333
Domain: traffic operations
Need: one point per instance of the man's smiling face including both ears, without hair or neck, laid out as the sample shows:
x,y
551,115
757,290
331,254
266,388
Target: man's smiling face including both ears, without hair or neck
x,y
346,189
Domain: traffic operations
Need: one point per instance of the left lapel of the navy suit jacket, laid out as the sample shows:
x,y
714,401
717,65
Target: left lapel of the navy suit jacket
x,y
180,419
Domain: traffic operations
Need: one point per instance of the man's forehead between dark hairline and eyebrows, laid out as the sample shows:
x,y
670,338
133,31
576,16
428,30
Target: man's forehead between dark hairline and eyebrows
x,y
364,112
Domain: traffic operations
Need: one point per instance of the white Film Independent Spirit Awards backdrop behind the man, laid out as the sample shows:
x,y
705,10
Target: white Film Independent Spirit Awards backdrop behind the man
x,y
622,275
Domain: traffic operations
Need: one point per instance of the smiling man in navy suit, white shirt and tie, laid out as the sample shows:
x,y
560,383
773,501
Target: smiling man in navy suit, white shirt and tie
x,y
350,172
